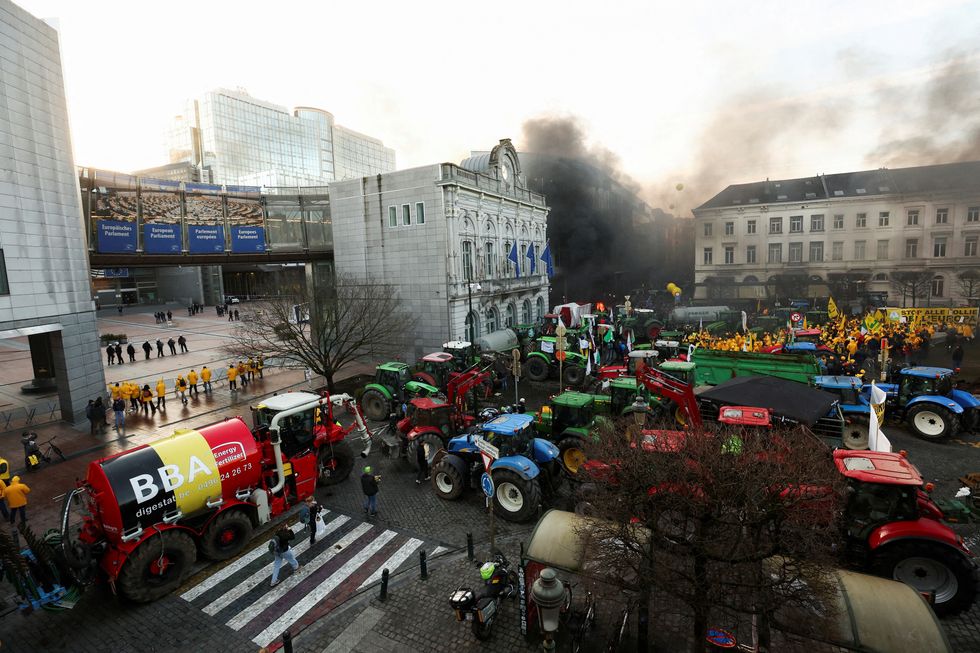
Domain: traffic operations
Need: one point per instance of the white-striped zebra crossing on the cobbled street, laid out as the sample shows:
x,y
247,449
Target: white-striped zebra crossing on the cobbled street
x,y
347,559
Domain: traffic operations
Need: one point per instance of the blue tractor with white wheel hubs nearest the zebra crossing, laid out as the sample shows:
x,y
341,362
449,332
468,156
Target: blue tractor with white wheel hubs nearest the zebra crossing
x,y
523,467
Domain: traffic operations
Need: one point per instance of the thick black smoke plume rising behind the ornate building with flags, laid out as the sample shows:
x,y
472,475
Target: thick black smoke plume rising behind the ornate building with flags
x,y
606,240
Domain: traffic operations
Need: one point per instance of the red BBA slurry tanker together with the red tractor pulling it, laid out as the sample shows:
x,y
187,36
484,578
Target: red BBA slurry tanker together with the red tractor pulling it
x,y
141,516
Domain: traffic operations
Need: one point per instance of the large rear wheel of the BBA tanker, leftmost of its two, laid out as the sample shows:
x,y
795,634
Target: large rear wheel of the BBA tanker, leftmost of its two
x,y
158,566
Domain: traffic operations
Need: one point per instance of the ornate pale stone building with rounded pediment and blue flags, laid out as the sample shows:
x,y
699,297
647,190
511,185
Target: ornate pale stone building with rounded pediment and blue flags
x,y
442,234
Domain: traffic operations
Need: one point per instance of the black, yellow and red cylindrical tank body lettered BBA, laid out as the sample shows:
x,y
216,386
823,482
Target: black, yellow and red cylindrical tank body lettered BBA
x,y
178,475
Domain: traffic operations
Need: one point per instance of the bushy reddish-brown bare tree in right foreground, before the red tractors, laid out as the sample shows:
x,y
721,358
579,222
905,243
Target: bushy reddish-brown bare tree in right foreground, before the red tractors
x,y
736,522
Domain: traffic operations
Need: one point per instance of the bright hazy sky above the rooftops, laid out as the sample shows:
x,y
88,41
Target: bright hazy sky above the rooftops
x,y
751,89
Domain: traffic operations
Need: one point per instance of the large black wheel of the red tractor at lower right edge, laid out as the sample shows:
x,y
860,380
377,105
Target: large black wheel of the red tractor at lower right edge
x,y
930,567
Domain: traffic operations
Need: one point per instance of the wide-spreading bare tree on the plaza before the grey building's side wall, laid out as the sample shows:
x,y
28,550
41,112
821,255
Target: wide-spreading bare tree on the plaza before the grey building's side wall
x,y
348,319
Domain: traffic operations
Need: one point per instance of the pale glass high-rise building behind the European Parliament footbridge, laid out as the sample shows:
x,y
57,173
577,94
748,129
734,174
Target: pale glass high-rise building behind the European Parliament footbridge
x,y
245,141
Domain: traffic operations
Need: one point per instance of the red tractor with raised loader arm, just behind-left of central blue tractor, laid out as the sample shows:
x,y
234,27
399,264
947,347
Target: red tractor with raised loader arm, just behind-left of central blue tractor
x,y
431,422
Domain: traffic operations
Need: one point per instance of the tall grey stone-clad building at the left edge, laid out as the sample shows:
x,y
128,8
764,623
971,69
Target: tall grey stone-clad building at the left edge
x,y
44,271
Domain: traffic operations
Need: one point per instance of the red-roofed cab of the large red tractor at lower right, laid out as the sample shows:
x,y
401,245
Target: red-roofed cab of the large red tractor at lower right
x,y
882,488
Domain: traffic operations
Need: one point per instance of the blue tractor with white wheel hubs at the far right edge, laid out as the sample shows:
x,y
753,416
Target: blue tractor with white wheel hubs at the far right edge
x,y
926,399
